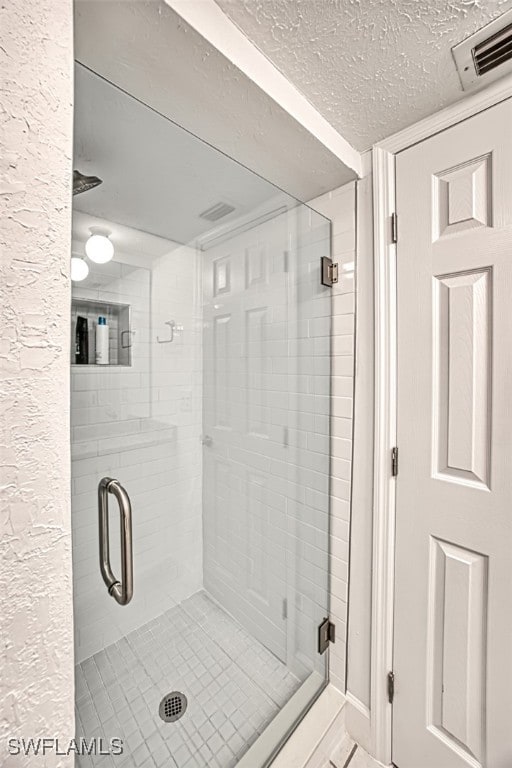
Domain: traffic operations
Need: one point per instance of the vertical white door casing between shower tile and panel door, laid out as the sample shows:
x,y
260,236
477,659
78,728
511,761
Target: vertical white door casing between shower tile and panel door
x,y
385,440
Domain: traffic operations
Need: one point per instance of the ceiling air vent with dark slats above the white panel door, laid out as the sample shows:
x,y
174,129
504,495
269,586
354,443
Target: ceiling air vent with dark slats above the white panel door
x,y
486,55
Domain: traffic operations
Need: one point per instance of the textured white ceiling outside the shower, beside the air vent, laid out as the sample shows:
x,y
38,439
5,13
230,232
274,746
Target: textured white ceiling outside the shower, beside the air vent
x,y
370,67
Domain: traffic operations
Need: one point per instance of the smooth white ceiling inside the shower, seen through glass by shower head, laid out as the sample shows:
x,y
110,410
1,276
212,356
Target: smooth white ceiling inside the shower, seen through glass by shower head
x,y
157,177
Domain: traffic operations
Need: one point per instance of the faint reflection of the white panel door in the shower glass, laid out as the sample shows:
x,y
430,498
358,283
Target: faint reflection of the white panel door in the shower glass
x,y
245,331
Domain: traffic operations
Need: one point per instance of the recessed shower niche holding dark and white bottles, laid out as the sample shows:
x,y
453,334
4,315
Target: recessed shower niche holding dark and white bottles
x,y
120,333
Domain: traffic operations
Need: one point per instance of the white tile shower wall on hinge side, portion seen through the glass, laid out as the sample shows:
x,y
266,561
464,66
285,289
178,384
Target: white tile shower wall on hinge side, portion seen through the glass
x,y
267,377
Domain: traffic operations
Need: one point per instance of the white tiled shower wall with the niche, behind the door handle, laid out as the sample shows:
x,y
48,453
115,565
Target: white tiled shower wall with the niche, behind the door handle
x,y
130,424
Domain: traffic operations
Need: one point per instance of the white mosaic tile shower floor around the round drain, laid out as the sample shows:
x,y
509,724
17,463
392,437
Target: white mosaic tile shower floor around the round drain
x,y
233,684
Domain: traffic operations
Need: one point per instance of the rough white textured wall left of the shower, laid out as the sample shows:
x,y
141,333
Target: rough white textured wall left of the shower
x,y
36,633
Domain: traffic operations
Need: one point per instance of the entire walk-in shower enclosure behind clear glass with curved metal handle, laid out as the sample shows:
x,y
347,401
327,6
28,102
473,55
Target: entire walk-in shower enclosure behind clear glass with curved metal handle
x,y
206,433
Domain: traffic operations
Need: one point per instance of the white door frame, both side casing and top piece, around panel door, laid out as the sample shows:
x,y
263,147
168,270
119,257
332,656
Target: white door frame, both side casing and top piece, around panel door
x,y
385,397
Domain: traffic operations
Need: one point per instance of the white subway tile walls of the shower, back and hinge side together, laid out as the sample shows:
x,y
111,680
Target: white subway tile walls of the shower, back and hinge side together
x,y
142,424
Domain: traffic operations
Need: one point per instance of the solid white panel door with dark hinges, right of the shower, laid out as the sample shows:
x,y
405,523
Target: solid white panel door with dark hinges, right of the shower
x,y
453,611
